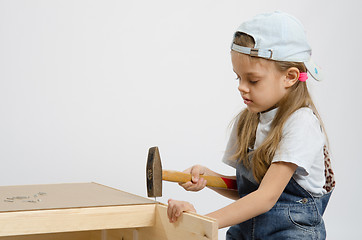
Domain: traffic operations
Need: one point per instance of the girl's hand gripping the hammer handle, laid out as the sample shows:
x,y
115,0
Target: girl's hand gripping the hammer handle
x,y
197,183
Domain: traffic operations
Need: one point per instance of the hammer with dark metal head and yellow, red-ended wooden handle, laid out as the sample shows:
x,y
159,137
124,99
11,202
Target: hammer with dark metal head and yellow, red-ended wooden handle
x,y
155,175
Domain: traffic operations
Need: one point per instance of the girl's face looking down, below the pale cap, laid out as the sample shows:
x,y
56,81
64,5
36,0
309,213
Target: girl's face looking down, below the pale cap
x,y
261,85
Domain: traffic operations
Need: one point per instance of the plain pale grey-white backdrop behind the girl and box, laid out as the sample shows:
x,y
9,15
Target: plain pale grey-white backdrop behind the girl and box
x,y
86,87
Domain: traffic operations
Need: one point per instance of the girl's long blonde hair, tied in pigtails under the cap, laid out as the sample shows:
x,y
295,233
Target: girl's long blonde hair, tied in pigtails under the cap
x,y
247,121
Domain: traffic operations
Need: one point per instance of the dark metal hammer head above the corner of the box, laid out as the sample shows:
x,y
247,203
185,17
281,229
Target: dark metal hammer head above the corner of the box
x,y
154,173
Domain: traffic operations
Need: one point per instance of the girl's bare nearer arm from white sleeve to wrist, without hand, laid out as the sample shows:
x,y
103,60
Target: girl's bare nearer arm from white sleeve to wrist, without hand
x,y
259,201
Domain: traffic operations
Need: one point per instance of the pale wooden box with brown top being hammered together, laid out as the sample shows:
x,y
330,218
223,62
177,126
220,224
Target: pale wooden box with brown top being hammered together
x,y
79,211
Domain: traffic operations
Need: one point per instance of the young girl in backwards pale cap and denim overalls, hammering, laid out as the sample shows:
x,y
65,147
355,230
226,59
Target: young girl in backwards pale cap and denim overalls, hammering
x,y
278,144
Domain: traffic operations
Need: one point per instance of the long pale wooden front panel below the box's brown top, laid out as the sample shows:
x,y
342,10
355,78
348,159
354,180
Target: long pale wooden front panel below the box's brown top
x,y
81,219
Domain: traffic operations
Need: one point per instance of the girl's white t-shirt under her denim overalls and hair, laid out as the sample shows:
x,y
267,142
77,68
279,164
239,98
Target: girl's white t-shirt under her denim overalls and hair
x,y
302,144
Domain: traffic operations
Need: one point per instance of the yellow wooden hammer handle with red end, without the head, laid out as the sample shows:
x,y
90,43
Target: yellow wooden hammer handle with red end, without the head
x,y
212,181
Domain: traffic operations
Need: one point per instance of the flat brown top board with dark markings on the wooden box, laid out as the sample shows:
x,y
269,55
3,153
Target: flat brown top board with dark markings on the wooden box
x,y
67,195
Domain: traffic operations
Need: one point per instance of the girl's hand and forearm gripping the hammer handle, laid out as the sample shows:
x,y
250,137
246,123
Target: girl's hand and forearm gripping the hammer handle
x,y
199,183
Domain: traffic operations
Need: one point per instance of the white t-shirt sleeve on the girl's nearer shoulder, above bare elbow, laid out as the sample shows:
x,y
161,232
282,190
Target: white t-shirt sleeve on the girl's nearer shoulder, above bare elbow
x,y
302,141
